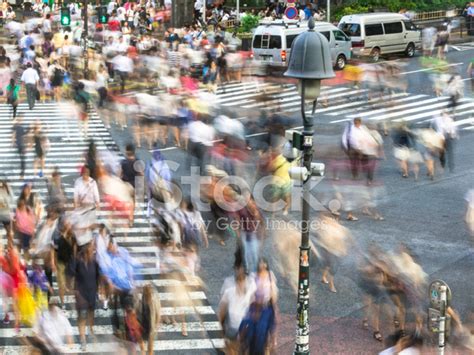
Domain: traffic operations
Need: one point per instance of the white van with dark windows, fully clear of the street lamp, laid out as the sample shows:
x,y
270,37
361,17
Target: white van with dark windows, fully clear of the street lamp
x,y
376,34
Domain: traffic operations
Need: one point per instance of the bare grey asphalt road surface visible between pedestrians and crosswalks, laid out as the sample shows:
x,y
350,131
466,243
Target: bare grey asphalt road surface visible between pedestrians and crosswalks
x,y
426,215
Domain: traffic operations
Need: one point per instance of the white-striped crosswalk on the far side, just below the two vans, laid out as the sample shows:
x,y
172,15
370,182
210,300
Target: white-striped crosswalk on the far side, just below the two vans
x,y
345,103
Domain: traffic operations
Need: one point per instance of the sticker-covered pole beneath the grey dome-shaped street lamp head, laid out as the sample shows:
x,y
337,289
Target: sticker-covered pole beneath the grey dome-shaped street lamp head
x,y
302,331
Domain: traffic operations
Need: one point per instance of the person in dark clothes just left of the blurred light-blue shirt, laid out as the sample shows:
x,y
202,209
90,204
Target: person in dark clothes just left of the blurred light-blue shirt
x,y
85,271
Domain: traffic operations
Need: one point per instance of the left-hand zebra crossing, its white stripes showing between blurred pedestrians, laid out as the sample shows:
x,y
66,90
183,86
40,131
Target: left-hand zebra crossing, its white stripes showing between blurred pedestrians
x,y
67,148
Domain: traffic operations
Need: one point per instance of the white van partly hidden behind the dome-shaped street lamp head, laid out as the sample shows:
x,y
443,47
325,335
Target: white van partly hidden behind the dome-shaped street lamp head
x,y
272,41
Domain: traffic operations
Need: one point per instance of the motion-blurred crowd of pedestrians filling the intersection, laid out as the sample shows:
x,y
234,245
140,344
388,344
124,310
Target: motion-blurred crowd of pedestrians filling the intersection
x,y
180,71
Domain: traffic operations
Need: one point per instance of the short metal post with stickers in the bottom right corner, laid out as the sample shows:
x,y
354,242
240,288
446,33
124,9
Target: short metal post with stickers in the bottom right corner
x,y
439,320
